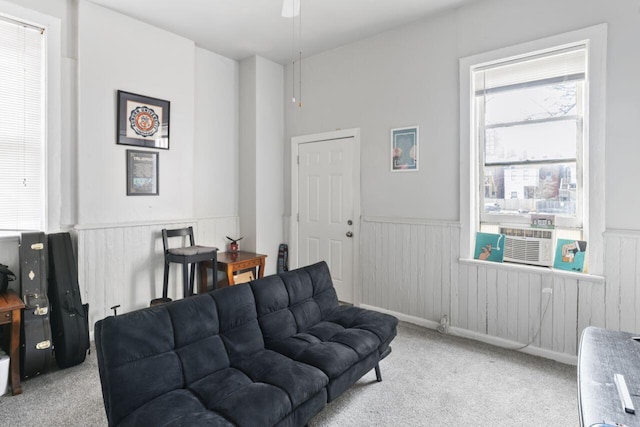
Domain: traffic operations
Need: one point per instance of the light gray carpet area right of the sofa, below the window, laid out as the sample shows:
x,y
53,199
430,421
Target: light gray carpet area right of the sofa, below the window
x,y
431,379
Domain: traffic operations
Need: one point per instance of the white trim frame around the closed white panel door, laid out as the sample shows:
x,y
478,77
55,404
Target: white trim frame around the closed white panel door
x,y
293,233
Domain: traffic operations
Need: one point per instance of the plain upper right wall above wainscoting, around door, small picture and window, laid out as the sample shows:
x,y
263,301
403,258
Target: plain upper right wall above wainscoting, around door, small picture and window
x,y
410,76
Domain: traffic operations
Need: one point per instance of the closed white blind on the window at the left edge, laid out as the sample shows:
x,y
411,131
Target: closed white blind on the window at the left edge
x,y
22,121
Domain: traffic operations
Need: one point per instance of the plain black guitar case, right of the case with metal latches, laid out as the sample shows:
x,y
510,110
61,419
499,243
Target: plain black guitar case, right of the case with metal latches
x,y
69,317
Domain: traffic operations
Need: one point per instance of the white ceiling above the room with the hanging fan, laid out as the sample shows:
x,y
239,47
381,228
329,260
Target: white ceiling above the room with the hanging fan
x,y
242,28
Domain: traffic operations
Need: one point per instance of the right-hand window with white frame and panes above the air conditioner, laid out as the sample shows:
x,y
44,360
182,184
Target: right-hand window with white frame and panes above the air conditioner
x,y
532,137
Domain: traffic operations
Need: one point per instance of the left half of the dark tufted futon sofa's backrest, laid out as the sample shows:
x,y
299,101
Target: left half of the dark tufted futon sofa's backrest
x,y
147,353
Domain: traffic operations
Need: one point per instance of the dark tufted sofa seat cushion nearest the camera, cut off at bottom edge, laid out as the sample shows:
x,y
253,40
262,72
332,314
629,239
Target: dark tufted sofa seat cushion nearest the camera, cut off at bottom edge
x,y
176,408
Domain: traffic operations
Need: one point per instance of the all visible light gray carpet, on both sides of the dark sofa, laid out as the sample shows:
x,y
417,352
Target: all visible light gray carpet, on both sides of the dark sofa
x,y
428,379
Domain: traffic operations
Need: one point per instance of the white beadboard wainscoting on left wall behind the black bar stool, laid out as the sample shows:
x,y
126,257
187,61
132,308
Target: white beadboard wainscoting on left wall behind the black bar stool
x,y
123,264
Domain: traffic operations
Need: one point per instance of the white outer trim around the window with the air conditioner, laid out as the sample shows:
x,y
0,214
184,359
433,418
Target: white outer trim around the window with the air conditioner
x,y
594,149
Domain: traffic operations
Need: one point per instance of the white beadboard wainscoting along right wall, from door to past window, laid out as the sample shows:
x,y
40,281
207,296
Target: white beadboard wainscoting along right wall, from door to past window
x,y
412,267
